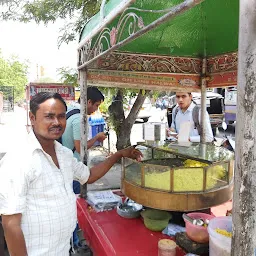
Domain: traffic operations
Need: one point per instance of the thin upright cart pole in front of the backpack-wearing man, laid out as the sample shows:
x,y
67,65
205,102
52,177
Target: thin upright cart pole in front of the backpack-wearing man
x,y
203,101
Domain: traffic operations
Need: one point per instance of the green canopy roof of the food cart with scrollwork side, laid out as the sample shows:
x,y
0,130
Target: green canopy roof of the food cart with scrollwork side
x,y
208,29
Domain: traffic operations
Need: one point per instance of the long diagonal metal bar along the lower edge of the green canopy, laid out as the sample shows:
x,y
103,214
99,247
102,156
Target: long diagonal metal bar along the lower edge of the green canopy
x,y
175,11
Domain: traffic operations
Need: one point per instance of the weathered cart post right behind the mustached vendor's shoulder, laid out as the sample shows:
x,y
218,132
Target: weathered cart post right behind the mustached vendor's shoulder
x,y
84,123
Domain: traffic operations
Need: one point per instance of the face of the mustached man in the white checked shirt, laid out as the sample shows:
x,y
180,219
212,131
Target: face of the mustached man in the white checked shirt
x,y
49,123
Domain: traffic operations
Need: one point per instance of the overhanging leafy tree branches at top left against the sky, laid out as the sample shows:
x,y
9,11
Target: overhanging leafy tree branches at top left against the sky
x,y
76,12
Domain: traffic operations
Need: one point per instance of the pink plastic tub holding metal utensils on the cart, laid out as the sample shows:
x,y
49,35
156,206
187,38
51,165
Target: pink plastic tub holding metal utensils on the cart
x,y
197,233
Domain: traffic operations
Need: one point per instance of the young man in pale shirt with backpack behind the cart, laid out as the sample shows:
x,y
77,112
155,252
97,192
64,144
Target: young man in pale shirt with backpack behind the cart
x,y
183,112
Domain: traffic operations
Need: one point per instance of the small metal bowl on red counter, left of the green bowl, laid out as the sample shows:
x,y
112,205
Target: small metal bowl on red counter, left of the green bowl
x,y
129,209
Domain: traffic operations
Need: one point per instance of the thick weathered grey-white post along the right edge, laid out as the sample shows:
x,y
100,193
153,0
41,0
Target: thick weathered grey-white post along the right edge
x,y
244,200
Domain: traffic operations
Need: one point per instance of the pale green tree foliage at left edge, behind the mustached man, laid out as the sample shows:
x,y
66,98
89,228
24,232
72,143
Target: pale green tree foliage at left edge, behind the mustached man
x,y
14,73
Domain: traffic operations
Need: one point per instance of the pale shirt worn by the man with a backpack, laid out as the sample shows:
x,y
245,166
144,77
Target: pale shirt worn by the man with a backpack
x,y
187,117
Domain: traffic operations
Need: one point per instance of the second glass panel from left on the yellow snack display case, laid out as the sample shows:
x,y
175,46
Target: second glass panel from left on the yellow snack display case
x,y
157,177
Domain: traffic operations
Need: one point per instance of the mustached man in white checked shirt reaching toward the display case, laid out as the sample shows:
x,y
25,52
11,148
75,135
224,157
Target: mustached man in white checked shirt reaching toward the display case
x,y
37,203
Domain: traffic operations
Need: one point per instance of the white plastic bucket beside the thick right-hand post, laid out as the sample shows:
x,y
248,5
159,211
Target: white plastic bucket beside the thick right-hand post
x,y
220,245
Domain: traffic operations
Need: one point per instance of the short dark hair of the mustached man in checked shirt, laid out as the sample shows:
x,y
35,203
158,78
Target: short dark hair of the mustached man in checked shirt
x,y
41,97
